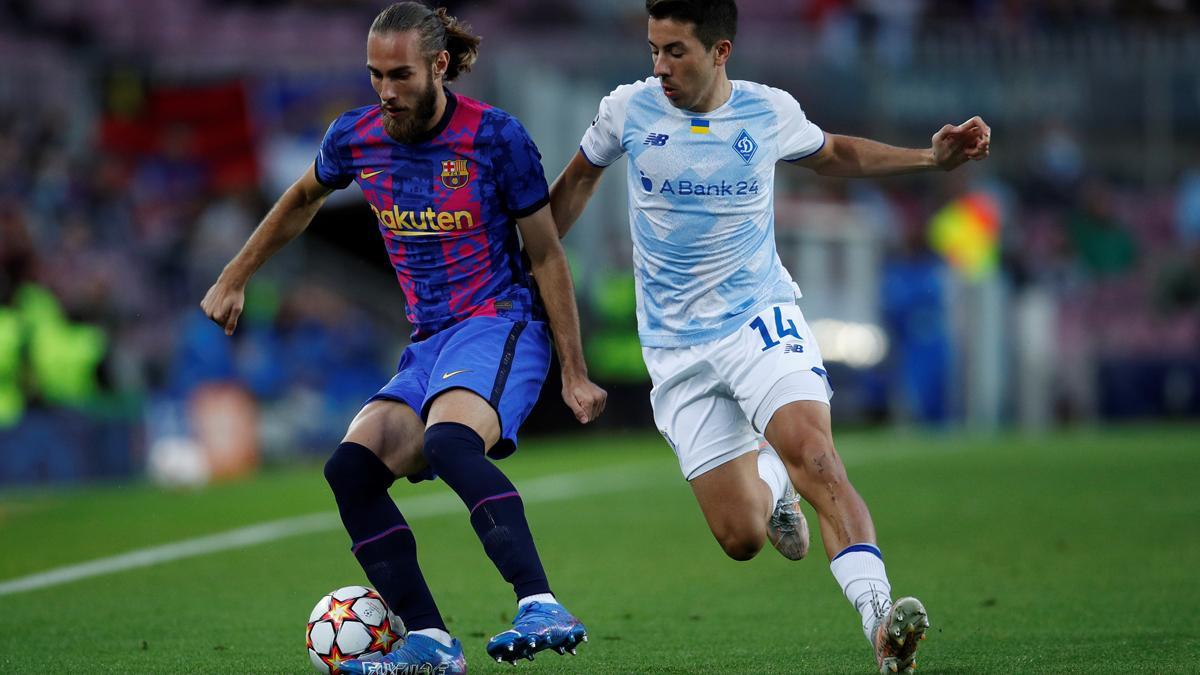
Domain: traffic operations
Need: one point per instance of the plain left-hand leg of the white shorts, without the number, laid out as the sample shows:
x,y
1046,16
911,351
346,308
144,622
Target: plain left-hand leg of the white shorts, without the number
x,y
693,411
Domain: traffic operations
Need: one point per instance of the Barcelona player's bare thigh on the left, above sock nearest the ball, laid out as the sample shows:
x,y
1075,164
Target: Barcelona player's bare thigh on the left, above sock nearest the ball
x,y
393,432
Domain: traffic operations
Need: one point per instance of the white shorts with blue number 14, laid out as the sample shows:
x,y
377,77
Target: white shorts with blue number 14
x,y
712,402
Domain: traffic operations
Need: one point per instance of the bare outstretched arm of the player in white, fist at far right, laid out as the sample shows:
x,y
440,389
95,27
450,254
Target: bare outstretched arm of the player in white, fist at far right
x,y
849,157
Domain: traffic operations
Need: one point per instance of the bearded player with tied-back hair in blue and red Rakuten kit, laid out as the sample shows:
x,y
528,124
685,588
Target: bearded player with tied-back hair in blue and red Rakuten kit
x,y
452,181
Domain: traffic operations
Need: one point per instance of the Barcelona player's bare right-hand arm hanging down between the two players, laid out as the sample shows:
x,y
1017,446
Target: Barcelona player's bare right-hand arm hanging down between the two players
x,y
541,238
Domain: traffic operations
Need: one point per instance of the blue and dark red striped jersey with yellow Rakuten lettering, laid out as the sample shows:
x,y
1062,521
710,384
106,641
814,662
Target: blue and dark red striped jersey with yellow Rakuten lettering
x,y
447,208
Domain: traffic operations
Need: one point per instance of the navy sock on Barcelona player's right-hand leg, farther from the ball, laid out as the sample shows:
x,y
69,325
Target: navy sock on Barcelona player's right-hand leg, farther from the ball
x,y
457,455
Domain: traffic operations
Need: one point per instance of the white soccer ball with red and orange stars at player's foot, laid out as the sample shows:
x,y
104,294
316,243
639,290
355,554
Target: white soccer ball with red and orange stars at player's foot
x,y
351,623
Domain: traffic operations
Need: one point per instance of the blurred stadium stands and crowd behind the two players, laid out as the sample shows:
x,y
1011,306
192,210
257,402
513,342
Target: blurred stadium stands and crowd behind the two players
x,y
142,140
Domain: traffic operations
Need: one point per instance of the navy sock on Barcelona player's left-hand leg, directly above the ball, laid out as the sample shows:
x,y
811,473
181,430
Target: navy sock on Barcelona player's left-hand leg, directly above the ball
x,y
382,541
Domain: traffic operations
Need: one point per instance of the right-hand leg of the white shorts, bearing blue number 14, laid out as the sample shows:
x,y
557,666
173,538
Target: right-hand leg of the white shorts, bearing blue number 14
x,y
772,362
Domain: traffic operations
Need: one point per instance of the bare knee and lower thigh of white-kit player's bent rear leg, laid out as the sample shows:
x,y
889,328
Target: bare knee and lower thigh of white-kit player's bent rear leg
x,y
735,501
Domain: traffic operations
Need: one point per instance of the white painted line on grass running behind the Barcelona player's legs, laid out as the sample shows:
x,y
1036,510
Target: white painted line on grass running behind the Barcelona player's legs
x,y
547,489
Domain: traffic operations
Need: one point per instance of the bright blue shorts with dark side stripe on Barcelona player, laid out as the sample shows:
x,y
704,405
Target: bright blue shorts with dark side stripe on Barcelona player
x,y
503,361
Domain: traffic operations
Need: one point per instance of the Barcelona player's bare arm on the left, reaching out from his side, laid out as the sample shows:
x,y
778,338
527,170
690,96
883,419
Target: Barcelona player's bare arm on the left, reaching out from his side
x,y
286,220
